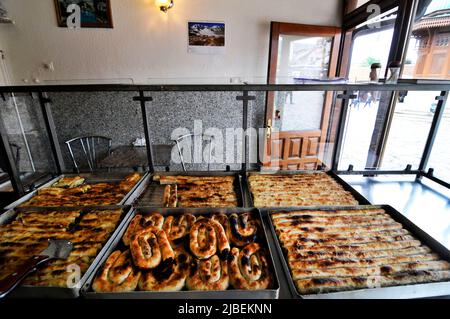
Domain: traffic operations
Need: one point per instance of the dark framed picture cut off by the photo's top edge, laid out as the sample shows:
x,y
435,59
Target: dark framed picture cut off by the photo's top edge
x,y
94,13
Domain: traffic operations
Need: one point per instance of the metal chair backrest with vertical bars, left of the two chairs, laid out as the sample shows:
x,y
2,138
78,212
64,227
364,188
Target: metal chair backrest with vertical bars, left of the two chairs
x,y
91,148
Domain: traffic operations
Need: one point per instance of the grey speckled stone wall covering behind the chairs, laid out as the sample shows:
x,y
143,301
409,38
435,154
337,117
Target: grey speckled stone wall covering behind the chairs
x,y
116,115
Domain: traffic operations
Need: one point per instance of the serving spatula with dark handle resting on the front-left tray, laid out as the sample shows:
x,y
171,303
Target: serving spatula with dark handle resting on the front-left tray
x,y
57,249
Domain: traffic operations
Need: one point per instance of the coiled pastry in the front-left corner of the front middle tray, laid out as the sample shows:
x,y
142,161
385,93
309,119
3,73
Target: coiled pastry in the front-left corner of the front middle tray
x,y
118,274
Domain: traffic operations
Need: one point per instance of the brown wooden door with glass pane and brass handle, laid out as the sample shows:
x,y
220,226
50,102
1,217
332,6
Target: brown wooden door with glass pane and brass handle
x,y
299,51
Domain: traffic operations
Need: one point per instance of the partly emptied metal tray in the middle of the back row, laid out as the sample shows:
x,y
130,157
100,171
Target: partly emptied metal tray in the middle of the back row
x,y
150,193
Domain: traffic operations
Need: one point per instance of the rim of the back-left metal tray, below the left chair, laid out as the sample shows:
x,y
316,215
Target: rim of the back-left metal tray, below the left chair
x,y
89,178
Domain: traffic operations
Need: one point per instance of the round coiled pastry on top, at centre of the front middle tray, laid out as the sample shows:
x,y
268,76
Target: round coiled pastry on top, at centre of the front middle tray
x,y
206,237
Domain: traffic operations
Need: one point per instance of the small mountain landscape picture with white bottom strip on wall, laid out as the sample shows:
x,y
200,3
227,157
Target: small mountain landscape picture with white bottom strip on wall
x,y
206,37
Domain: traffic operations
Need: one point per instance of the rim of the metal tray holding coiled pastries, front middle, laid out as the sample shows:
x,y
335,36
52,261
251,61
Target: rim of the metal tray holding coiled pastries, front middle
x,y
185,294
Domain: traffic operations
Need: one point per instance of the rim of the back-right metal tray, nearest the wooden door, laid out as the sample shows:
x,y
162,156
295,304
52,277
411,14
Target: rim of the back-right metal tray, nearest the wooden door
x,y
249,198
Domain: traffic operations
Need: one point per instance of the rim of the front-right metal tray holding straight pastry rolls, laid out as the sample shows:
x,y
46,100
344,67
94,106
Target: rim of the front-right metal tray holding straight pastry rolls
x,y
397,292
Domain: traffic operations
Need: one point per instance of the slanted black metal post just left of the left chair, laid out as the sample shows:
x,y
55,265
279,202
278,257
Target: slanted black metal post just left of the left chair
x,y
51,132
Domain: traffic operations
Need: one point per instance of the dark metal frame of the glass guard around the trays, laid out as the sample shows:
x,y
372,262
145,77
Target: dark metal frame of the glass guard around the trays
x,y
344,92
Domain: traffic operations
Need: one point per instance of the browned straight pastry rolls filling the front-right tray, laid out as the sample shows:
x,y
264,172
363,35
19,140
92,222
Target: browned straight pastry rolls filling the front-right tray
x,y
339,250
